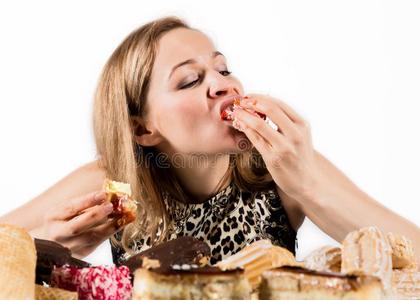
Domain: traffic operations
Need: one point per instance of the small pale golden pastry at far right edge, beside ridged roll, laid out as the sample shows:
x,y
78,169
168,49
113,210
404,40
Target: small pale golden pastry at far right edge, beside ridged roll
x,y
402,252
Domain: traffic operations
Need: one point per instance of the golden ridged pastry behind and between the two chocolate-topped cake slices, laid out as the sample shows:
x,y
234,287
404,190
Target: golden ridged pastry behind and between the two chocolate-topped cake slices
x,y
257,258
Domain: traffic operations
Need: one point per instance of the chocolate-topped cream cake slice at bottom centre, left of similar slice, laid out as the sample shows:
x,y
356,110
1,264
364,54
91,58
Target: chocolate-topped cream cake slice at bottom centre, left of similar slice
x,y
188,282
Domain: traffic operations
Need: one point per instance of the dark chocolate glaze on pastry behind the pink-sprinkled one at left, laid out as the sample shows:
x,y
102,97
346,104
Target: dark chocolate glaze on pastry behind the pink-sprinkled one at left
x,y
50,254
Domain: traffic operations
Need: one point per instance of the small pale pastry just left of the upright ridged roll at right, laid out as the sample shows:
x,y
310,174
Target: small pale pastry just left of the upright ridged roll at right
x,y
326,258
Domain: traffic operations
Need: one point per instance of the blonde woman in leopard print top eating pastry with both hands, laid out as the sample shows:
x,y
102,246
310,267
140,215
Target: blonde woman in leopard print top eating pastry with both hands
x,y
157,126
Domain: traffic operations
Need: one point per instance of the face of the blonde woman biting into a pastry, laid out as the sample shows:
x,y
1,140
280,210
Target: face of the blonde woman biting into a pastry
x,y
190,84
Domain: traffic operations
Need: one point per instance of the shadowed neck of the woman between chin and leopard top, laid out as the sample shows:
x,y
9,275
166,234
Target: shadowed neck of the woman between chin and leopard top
x,y
201,175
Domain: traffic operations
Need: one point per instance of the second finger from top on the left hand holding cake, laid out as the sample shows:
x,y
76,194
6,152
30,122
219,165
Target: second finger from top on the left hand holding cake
x,y
96,215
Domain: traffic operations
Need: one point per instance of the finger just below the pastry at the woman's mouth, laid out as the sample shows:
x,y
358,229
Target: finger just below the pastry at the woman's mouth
x,y
274,139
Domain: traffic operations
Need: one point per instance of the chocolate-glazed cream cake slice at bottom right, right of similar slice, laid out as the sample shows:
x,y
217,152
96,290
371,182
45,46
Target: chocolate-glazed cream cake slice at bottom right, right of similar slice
x,y
296,283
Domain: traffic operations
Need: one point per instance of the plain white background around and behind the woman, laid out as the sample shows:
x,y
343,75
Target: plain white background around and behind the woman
x,y
350,68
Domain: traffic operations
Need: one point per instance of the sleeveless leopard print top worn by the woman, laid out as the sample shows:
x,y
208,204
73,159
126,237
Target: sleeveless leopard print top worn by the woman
x,y
227,222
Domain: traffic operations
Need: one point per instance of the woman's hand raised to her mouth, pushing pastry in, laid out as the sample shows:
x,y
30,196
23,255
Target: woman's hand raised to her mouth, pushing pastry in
x,y
288,152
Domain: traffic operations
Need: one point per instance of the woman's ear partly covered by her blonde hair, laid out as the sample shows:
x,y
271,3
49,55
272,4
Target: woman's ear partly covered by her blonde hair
x,y
145,134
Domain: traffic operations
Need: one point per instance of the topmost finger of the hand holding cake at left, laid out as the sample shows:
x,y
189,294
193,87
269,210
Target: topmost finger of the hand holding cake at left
x,y
76,205
